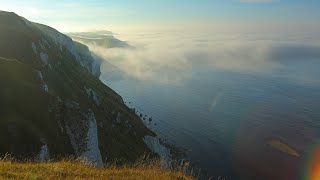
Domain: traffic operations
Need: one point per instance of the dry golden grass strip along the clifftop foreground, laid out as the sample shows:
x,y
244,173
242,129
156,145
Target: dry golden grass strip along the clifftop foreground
x,y
68,169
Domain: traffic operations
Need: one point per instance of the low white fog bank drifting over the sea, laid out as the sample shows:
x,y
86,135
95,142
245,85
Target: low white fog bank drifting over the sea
x,y
173,57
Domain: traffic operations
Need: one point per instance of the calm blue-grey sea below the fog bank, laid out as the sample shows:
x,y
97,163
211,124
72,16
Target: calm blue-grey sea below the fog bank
x,y
225,118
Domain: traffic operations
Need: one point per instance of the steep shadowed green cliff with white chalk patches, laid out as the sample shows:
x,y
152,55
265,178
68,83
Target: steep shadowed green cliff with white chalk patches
x,y
52,103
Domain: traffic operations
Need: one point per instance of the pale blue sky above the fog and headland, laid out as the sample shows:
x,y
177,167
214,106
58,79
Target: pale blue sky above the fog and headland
x,y
80,15
